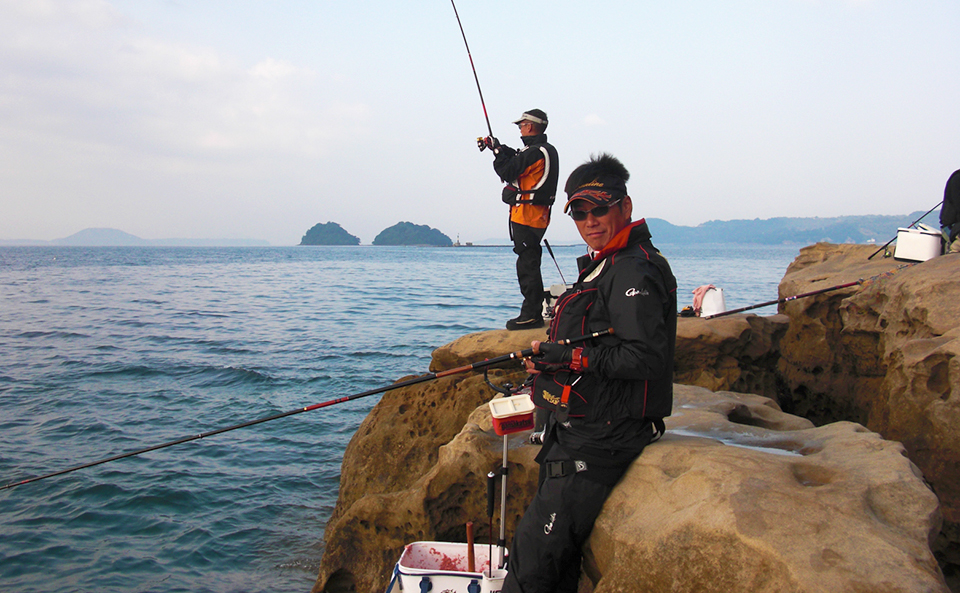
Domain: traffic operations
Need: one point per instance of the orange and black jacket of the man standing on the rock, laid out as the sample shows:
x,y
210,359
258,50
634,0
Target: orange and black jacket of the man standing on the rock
x,y
531,173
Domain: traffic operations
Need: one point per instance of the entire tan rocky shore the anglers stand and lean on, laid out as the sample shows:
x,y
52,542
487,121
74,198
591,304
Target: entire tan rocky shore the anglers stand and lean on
x,y
812,450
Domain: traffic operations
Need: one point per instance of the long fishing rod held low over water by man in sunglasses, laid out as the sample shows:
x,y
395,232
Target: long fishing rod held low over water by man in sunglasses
x,y
422,379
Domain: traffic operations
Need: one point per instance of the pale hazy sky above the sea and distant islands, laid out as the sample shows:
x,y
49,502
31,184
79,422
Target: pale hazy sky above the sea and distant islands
x,y
258,119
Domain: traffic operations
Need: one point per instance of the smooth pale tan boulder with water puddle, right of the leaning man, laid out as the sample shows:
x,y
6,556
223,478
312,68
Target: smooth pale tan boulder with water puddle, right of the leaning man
x,y
773,505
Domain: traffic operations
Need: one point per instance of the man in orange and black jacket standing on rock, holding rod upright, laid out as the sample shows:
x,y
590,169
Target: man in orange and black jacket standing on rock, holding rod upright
x,y
531,176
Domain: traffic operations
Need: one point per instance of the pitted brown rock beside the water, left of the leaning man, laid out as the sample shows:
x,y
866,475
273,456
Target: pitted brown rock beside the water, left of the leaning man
x,y
398,447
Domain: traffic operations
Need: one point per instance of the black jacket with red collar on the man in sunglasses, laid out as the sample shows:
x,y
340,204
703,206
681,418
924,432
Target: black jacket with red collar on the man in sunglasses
x,y
627,379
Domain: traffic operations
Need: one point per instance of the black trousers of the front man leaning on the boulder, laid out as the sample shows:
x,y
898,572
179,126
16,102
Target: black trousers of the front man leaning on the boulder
x,y
546,552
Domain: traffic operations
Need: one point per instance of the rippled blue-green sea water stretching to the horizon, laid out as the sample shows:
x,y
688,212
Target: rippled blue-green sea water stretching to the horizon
x,y
109,350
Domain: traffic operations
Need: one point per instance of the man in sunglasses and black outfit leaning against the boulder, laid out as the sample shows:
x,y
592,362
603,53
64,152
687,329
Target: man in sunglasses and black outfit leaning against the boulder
x,y
607,398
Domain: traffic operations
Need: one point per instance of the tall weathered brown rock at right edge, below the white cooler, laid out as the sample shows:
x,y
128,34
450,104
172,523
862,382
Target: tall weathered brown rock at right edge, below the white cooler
x,y
884,354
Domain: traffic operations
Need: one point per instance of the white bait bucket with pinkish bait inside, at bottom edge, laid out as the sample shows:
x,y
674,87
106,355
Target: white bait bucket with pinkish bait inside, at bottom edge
x,y
444,566
